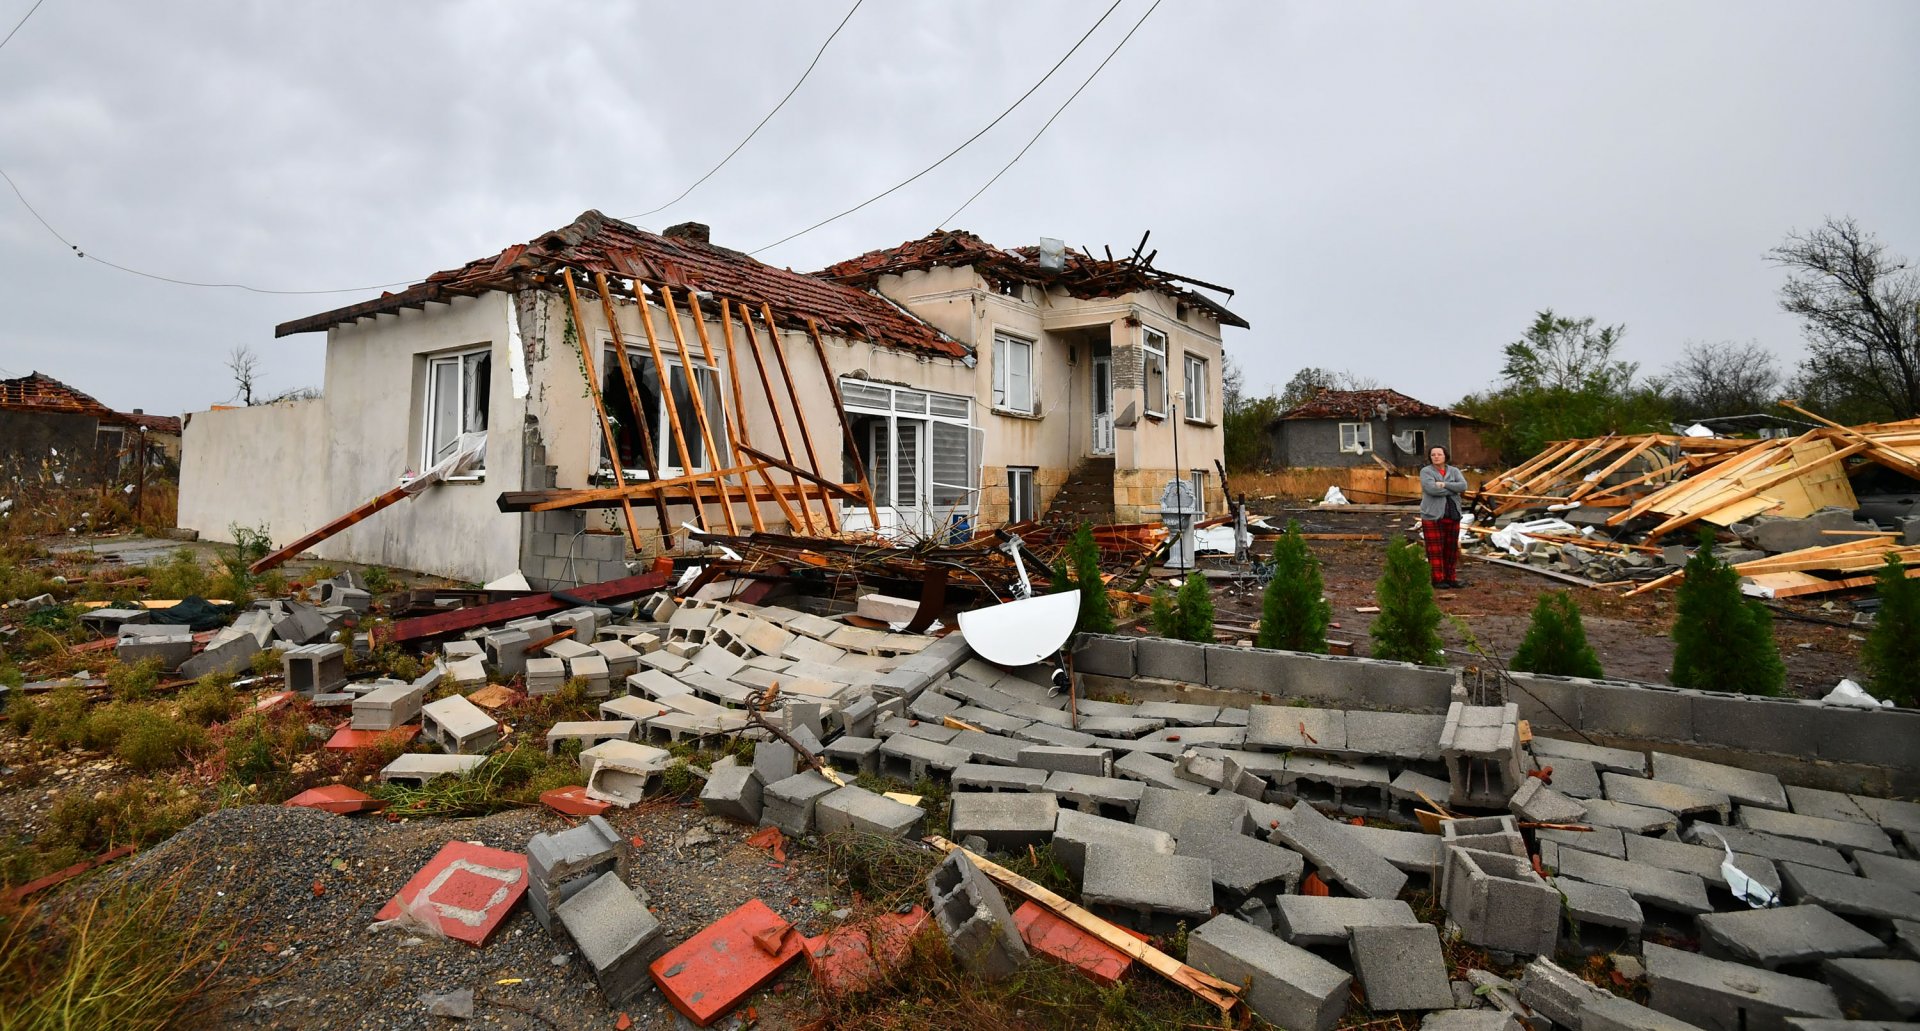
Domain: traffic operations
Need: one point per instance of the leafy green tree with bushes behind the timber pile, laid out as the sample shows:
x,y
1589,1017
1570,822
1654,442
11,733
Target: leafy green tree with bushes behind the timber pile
x,y
1564,379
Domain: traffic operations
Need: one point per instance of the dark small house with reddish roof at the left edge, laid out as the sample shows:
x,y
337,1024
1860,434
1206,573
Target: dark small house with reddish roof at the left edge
x,y
51,429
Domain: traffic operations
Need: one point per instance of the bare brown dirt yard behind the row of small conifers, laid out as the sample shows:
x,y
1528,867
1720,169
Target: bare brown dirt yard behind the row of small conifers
x,y
1631,635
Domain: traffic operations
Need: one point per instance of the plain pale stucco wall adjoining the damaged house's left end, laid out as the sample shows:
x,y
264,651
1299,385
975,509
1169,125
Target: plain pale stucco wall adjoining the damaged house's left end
x,y
258,466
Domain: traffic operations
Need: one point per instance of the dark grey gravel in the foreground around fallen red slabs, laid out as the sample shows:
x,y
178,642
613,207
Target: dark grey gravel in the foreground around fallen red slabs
x,y
306,886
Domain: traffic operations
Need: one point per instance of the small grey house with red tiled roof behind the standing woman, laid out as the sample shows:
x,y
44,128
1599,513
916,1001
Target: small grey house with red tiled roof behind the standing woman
x,y
1341,429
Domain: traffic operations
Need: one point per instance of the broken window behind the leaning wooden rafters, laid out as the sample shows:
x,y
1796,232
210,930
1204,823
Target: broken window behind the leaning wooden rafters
x,y
635,429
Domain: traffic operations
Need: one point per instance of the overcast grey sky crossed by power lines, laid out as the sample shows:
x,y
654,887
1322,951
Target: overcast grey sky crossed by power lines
x,y
1391,189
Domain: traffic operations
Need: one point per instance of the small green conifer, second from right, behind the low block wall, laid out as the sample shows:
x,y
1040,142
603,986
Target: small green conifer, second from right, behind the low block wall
x,y
1723,642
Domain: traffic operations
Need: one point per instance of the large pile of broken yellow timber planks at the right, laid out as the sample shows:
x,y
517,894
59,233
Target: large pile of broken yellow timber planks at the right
x,y
1804,515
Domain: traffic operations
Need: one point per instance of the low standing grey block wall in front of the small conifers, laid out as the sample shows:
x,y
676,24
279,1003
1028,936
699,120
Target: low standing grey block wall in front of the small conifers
x,y
1802,742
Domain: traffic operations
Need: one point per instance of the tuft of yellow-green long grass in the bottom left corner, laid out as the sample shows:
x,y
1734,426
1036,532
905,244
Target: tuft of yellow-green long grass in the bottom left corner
x,y
132,957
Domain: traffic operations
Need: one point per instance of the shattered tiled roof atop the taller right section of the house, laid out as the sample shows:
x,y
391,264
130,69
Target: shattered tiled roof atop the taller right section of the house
x,y
1080,276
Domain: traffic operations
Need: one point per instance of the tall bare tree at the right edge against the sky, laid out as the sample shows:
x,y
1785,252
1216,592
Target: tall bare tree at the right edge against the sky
x,y
1860,308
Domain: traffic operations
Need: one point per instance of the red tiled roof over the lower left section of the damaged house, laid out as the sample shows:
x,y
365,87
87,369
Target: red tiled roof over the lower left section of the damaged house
x,y
683,260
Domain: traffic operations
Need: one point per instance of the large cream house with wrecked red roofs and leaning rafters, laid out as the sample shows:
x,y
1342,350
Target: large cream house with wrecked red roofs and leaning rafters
x,y
972,379
